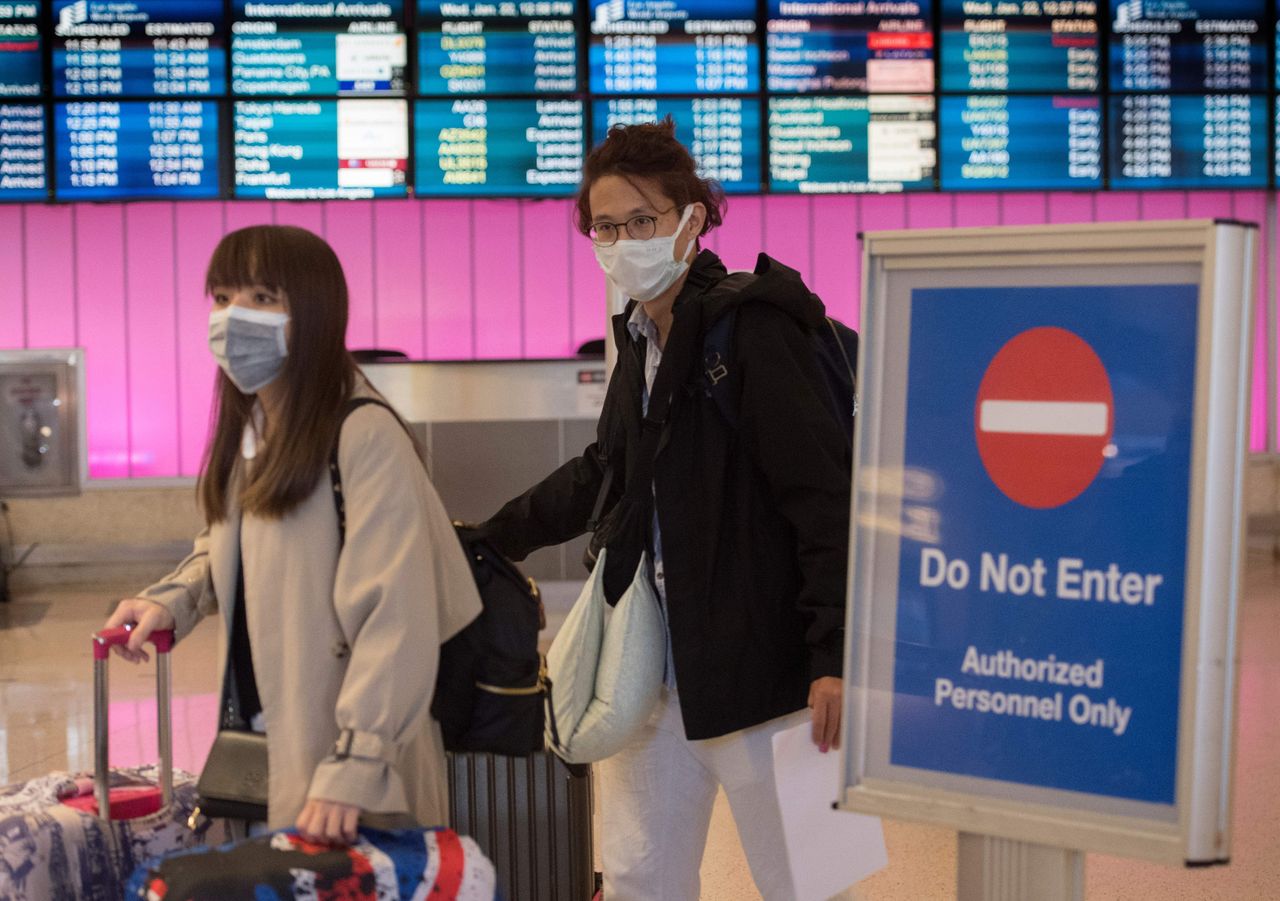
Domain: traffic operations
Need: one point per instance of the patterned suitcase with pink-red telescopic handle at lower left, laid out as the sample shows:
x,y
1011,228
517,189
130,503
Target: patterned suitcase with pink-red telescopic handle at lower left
x,y
54,847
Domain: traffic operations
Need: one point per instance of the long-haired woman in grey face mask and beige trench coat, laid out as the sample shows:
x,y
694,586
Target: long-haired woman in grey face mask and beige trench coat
x,y
330,646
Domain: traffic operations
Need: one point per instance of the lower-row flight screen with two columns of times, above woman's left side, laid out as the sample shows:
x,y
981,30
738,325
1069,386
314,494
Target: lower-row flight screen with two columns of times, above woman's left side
x,y
118,150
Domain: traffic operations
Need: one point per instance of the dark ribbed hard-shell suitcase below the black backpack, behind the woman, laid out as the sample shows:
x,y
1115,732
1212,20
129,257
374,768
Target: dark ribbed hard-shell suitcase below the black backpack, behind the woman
x,y
532,817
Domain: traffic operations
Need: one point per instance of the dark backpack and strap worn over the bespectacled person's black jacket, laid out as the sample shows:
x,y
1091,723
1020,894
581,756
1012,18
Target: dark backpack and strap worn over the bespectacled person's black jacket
x,y
835,349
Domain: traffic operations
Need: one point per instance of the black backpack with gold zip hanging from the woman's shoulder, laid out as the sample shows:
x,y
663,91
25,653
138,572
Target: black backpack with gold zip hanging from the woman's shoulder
x,y
492,687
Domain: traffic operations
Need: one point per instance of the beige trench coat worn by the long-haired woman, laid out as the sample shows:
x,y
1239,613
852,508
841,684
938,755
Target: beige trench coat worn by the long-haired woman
x,y
344,641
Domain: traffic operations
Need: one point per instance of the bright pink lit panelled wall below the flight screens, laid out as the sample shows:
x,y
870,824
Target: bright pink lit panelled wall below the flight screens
x,y
437,280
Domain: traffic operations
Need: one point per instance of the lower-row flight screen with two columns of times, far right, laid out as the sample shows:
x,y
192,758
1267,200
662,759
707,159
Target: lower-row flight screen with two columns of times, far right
x,y
1183,141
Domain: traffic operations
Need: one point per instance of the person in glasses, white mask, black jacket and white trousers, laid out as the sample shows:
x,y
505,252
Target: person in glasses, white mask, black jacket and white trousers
x,y
748,534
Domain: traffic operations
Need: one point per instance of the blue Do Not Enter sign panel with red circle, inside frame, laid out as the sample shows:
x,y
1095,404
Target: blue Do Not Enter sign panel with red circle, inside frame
x,y
1040,620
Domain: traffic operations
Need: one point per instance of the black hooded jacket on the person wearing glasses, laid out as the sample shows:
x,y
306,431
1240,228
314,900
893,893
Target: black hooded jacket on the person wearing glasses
x,y
755,520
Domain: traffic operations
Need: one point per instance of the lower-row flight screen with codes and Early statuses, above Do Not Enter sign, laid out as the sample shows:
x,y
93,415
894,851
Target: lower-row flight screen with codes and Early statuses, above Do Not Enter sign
x,y
998,143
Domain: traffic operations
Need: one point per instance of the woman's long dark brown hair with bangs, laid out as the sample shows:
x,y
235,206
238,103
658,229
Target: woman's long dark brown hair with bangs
x,y
318,377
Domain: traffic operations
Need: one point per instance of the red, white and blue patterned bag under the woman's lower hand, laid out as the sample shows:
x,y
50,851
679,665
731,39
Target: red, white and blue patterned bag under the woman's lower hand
x,y
382,866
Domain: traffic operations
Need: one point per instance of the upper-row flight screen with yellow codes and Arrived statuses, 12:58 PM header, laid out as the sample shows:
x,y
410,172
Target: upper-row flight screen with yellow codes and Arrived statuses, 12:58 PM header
x,y
524,47
